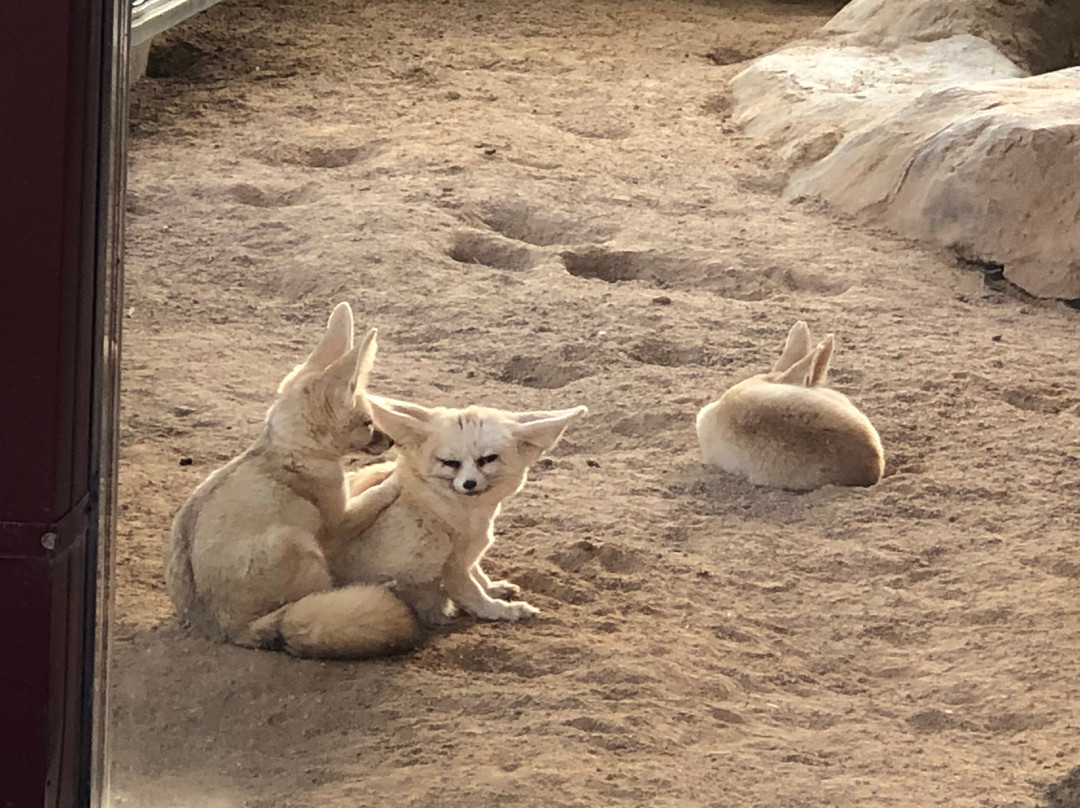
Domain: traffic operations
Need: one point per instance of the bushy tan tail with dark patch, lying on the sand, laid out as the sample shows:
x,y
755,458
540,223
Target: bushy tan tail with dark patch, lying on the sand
x,y
353,623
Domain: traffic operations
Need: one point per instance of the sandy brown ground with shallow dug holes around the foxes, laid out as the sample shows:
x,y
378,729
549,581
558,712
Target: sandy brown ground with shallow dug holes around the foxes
x,y
544,206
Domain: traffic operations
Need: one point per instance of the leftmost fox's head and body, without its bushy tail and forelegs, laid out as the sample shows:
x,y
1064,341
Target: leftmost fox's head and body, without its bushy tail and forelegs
x,y
251,537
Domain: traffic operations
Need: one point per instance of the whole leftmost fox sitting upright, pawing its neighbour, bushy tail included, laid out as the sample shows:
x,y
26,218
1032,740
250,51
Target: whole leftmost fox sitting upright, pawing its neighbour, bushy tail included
x,y
246,561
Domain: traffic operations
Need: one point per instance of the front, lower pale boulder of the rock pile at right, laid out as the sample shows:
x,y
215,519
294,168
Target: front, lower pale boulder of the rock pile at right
x,y
988,169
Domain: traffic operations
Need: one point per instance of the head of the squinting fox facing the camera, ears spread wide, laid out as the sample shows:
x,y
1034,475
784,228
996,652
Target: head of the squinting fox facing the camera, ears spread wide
x,y
476,452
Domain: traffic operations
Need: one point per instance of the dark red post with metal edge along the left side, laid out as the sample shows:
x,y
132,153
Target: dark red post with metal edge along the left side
x,y
62,117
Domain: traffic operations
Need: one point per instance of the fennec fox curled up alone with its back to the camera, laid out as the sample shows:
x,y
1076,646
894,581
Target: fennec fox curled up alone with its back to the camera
x,y
786,429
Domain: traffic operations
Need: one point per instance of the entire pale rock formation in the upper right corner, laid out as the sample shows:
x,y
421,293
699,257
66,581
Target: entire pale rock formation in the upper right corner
x,y
921,114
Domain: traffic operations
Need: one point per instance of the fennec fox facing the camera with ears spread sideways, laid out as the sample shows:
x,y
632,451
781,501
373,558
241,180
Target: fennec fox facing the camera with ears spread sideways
x,y
454,469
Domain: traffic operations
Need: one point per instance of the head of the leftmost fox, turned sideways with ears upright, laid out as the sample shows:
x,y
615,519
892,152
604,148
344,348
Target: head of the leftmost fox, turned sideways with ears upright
x,y
321,408
